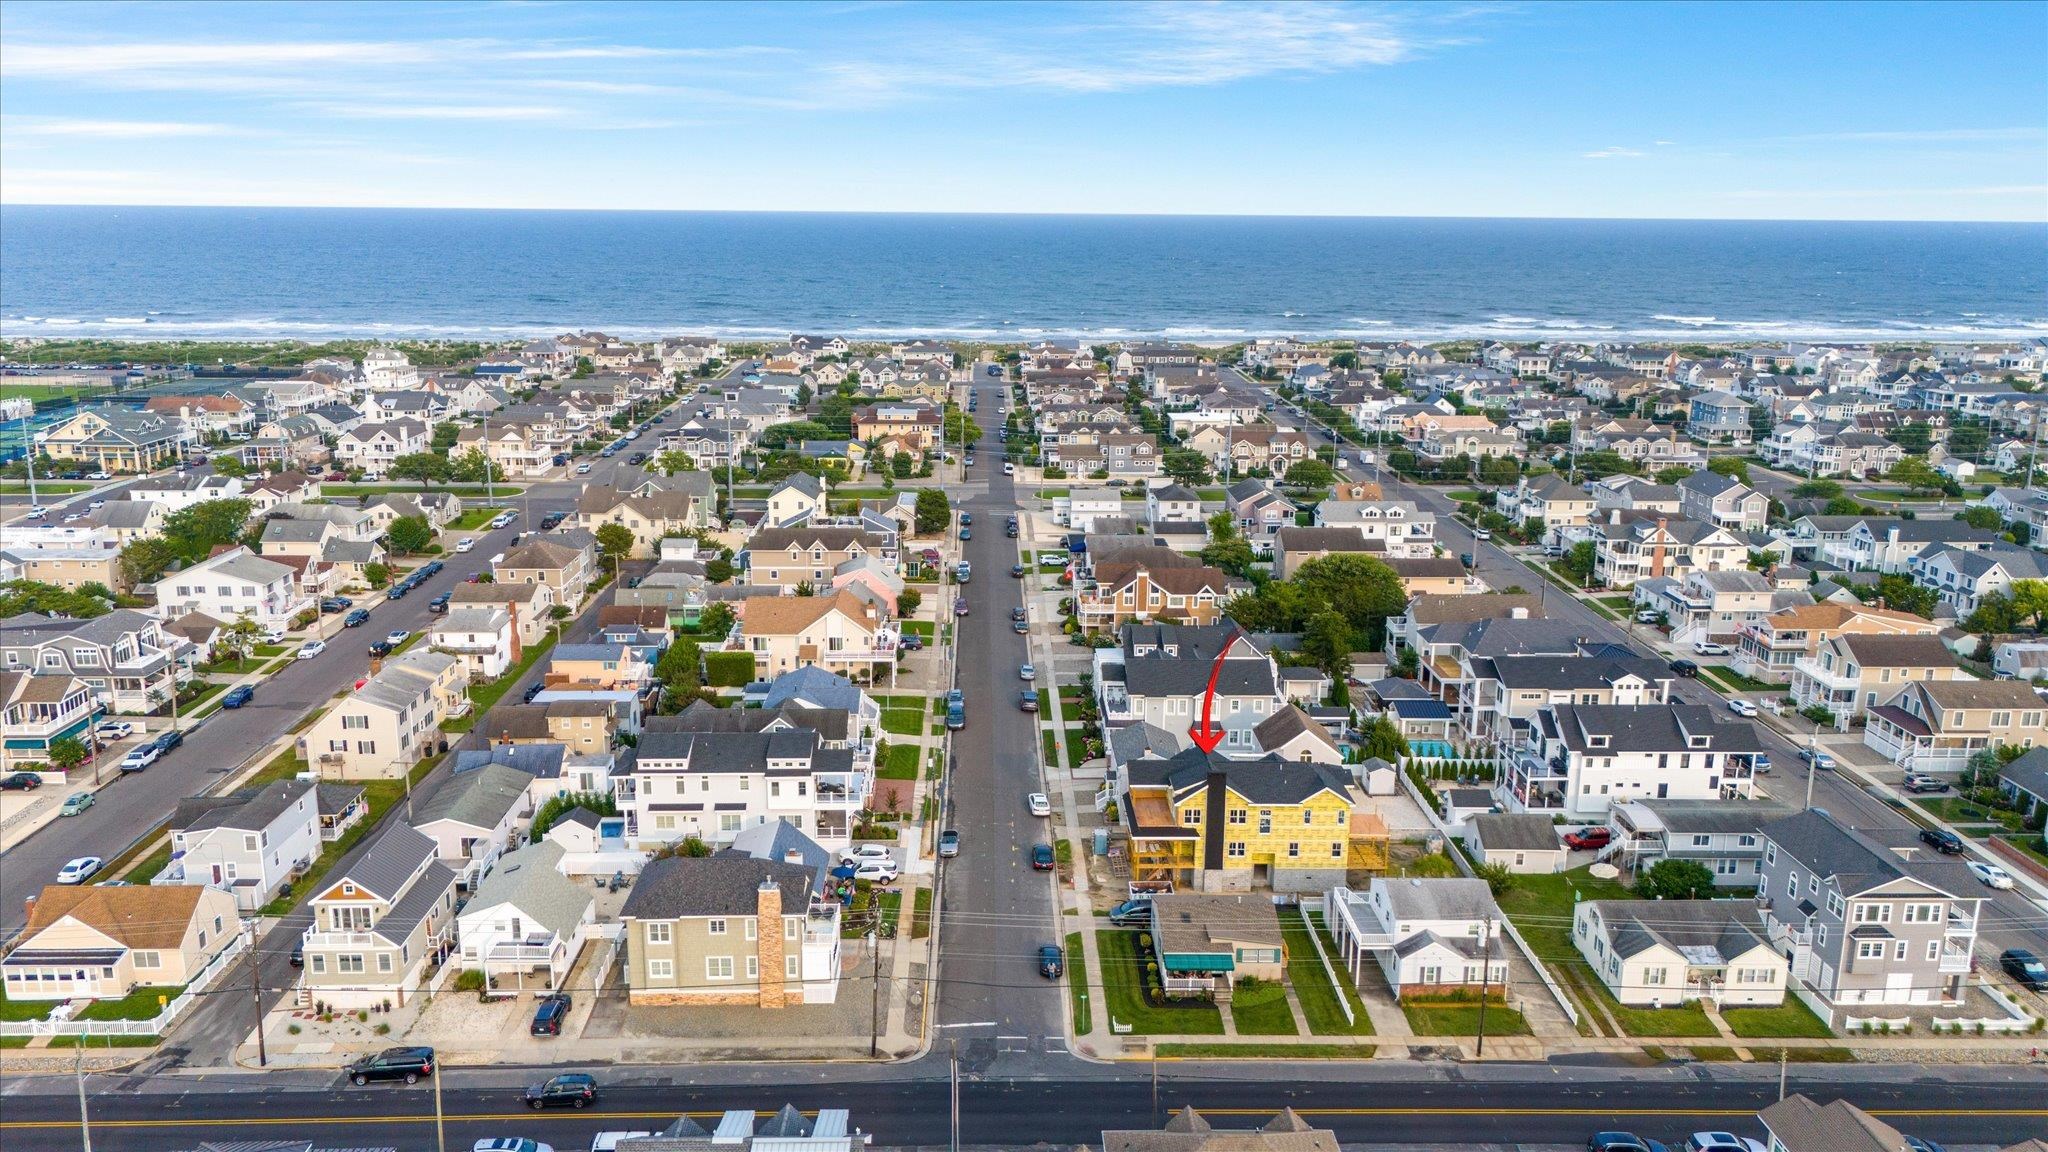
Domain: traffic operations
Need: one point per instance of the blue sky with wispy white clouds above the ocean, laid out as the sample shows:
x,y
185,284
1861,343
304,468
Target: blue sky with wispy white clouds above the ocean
x,y
1814,112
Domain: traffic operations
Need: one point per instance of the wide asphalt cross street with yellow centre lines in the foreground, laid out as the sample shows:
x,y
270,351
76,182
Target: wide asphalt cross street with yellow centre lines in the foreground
x,y
1449,1106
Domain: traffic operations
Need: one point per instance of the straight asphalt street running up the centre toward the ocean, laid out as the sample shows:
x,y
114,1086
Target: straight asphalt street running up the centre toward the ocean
x,y
996,911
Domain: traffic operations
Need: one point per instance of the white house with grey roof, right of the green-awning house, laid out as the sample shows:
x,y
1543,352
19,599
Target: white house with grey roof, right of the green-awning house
x,y
1428,936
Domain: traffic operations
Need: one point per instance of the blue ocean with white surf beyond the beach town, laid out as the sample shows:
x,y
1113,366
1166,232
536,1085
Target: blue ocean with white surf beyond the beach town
x,y
388,274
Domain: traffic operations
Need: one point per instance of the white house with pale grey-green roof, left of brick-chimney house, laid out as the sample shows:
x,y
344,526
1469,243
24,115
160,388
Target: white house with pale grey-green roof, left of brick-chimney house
x,y
527,917
